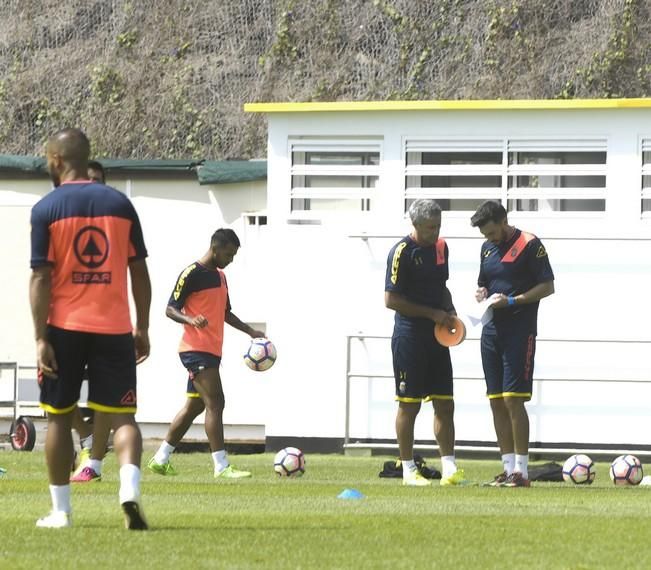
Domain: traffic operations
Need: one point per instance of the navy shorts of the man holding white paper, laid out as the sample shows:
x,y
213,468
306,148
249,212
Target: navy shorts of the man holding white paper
x,y
508,364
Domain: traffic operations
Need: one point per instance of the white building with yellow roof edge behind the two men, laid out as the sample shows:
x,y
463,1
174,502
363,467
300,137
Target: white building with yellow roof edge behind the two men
x,y
576,173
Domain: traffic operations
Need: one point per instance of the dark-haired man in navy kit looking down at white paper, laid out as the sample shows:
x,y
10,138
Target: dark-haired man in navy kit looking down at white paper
x,y
515,272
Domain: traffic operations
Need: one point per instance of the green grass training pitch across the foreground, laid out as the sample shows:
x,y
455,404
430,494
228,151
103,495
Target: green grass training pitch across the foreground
x,y
266,522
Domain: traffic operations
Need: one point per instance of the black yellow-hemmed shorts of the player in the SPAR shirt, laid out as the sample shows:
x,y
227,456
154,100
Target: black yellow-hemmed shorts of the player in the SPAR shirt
x,y
111,361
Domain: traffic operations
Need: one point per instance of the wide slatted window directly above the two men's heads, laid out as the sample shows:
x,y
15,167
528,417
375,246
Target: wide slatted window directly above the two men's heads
x,y
528,175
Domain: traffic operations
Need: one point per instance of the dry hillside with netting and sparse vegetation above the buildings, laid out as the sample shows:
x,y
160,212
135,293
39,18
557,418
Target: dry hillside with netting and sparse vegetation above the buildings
x,y
150,79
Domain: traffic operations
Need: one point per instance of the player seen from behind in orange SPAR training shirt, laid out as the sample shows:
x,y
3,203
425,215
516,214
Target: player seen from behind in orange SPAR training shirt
x,y
85,238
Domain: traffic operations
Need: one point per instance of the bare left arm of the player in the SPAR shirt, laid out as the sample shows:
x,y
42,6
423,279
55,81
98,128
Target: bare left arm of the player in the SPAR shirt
x,y
40,286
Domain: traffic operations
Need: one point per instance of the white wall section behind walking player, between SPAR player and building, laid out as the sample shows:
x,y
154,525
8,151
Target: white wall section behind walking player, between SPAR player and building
x,y
178,220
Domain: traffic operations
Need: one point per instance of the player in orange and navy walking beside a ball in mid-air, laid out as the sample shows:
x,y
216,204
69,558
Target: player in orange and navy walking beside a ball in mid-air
x,y
200,302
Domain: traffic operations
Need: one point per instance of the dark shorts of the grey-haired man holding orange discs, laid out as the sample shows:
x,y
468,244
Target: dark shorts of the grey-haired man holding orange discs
x,y
422,369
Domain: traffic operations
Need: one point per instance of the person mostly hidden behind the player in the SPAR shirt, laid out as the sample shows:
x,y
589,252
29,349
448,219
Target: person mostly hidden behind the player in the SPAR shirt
x,y
92,438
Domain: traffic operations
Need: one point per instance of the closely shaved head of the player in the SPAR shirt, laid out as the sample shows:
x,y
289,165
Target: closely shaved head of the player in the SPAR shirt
x,y
67,155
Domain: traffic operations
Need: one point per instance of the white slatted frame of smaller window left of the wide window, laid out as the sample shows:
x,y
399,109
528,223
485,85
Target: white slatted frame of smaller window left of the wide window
x,y
333,144
